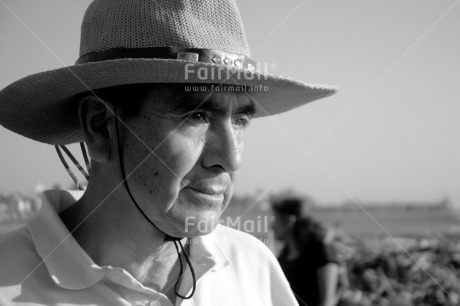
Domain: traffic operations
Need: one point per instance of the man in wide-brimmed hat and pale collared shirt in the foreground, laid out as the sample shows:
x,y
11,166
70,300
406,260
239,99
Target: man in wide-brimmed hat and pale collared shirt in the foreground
x,y
163,159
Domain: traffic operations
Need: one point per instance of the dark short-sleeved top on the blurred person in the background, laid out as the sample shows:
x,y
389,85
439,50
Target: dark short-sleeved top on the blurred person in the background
x,y
302,271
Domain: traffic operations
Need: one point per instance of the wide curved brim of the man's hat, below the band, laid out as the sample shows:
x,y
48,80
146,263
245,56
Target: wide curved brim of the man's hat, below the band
x,y
39,106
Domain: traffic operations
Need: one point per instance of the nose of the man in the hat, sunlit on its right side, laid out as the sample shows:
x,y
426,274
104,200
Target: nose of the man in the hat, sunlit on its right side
x,y
224,148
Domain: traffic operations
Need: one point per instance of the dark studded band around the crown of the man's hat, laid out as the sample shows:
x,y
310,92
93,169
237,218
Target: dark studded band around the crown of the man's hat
x,y
187,54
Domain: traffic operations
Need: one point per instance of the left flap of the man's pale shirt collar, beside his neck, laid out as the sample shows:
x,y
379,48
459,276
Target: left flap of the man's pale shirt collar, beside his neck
x,y
68,264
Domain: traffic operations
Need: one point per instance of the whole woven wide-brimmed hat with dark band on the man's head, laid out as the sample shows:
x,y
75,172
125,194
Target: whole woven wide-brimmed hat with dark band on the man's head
x,y
146,41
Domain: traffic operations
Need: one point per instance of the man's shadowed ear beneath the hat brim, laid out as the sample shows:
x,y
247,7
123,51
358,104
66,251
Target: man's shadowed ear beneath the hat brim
x,y
97,124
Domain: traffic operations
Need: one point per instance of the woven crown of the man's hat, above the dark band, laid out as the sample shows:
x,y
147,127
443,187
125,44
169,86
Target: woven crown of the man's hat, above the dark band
x,y
207,24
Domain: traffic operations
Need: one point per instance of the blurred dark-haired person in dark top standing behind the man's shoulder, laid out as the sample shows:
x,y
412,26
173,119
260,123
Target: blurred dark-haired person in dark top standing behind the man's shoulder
x,y
308,261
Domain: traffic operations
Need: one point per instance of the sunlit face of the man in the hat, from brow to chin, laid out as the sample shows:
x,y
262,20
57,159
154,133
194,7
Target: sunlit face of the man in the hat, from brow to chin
x,y
195,147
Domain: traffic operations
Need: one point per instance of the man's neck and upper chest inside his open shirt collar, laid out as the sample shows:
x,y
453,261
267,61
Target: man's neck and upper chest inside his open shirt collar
x,y
125,240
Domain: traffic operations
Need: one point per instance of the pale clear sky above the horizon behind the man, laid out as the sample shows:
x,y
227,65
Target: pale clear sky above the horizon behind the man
x,y
390,133
